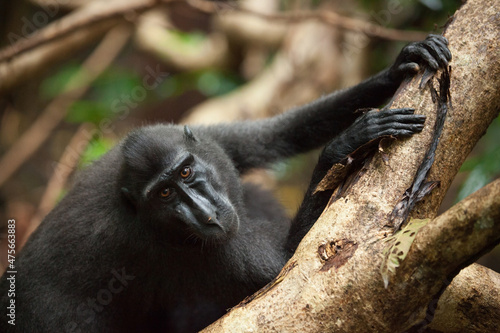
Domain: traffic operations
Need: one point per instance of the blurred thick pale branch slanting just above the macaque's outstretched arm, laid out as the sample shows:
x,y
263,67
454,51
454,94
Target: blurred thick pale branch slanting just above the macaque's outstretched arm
x,y
294,77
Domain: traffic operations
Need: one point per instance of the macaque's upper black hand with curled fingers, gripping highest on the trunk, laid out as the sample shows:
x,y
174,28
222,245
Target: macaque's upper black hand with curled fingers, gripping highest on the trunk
x,y
430,54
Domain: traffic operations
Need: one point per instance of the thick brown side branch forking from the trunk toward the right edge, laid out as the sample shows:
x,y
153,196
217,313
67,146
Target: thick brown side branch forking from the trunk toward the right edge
x,y
467,228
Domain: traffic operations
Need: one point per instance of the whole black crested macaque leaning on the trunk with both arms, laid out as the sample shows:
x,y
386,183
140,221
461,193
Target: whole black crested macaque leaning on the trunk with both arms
x,y
161,235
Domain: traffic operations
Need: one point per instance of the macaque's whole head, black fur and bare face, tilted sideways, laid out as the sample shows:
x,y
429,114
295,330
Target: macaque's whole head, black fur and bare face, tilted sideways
x,y
183,188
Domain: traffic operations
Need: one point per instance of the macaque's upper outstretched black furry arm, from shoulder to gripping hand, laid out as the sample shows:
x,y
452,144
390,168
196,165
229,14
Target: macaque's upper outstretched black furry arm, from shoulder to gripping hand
x,y
257,143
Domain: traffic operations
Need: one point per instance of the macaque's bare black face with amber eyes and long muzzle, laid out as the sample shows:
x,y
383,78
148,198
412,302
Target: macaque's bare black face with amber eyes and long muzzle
x,y
188,198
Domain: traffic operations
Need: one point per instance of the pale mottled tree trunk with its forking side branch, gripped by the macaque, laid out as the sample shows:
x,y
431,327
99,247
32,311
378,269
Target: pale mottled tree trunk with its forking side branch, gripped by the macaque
x,y
334,283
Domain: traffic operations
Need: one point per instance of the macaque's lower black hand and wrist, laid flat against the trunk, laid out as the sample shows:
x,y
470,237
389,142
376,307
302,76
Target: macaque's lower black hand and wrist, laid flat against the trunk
x,y
370,126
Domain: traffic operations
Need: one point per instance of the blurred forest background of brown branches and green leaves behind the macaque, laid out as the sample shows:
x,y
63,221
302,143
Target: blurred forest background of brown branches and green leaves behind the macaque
x,y
76,76
